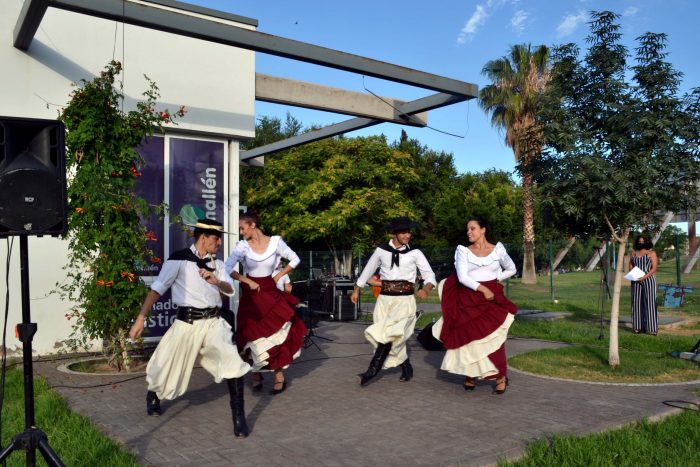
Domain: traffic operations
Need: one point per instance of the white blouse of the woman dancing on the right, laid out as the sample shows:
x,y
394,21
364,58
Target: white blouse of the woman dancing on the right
x,y
472,269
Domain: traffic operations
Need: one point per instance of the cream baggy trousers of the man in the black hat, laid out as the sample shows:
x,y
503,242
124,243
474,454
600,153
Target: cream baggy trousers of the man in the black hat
x,y
394,323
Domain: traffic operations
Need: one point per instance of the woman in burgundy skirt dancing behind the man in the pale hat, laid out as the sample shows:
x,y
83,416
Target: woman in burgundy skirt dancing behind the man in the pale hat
x,y
267,331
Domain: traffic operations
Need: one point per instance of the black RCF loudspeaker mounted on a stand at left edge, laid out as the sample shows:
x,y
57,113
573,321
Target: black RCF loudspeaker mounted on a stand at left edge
x,y
32,177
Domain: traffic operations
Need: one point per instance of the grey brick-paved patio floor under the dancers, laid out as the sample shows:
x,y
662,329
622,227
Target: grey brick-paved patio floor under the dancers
x,y
325,418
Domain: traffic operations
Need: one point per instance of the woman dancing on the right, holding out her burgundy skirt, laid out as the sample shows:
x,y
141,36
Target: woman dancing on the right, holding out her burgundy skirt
x,y
475,313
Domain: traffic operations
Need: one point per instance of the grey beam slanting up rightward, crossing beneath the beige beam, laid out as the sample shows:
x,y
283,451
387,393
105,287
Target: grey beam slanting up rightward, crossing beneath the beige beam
x,y
410,108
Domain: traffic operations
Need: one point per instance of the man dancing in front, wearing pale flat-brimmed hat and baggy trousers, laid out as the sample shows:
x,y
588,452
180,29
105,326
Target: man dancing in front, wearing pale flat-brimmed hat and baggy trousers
x,y
197,280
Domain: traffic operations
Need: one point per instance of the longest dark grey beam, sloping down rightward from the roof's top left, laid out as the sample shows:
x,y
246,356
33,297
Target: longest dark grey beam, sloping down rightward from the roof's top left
x,y
155,17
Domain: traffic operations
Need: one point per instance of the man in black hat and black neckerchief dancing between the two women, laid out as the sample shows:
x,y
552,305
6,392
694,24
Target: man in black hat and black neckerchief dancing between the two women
x,y
394,316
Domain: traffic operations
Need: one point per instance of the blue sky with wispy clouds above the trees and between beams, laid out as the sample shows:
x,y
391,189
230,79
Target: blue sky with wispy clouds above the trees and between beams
x,y
452,38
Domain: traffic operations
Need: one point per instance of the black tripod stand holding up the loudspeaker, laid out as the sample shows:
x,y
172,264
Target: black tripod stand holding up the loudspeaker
x,y
32,437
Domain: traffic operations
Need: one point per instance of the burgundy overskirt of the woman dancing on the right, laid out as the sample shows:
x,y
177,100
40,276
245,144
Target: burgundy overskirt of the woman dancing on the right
x,y
467,316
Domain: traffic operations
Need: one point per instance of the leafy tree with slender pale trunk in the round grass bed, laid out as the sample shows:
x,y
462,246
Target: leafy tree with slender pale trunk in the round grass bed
x,y
618,152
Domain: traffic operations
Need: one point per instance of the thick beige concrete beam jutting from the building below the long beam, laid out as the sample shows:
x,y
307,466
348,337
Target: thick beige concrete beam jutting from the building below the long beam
x,y
314,96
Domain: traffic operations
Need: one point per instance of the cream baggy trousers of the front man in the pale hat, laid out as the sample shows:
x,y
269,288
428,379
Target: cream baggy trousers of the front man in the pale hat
x,y
170,367
